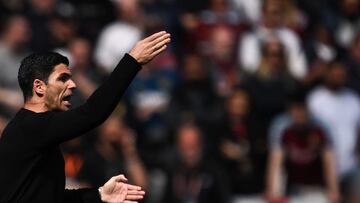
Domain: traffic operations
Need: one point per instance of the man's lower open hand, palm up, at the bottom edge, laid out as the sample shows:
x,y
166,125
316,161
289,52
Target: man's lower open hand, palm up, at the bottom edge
x,y
116,190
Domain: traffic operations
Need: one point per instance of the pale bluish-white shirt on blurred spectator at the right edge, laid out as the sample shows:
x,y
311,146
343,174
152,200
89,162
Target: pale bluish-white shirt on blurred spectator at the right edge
x,y
340,112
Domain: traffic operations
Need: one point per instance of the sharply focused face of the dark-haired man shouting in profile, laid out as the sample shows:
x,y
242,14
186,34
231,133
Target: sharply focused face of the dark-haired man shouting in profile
x,y
59,89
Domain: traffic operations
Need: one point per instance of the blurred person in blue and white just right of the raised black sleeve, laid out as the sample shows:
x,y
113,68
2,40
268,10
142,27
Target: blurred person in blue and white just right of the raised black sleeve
x,y
147,100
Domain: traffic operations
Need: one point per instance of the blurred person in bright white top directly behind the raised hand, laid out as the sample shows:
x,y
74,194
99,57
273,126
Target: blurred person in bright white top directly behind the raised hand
x,y
118,37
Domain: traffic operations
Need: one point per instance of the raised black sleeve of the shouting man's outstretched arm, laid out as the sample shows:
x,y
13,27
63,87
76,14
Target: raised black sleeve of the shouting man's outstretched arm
x,y
96,109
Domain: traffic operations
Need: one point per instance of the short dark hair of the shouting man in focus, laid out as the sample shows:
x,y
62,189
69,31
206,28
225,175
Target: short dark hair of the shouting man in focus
x,y
37,66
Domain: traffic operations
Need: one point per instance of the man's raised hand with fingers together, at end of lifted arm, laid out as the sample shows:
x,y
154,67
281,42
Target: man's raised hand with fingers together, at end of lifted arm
x,y
145,50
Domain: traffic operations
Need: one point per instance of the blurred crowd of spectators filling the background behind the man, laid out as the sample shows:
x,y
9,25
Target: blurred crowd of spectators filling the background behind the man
x,y
254,100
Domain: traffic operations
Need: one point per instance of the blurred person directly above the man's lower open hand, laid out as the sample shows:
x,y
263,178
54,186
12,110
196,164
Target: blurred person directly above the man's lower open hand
x,y
114,153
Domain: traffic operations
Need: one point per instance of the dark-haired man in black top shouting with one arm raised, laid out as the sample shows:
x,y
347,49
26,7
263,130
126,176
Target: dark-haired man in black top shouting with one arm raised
x,y
32,167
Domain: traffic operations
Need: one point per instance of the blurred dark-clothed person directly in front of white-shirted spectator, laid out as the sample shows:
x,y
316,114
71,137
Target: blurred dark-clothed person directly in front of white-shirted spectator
x,y
269,87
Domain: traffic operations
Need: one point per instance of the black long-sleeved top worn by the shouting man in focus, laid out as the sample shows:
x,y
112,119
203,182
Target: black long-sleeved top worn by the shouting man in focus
x,y
31,163
